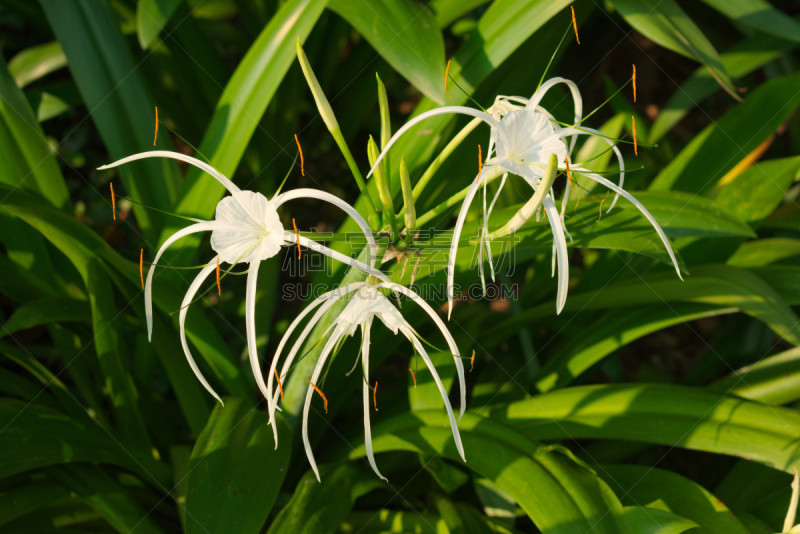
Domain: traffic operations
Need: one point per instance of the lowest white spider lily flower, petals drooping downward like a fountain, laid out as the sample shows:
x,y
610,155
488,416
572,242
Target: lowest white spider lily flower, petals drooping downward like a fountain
x,y
365,304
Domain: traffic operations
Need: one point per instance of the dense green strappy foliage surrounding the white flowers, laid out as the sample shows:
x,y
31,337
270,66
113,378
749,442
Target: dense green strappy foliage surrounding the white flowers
x,y
649,405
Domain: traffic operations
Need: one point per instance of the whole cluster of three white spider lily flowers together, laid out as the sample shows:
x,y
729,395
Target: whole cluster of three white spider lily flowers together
x,y
525,140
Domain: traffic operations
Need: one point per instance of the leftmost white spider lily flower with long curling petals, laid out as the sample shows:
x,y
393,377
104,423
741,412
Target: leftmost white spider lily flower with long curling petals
x,y
246,229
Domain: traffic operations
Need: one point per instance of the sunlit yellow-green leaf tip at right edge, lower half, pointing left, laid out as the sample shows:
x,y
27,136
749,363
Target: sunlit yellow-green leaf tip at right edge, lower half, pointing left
x,y
773,380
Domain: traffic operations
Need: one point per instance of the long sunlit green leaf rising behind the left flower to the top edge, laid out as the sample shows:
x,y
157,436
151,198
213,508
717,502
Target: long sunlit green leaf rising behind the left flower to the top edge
x,y
245,99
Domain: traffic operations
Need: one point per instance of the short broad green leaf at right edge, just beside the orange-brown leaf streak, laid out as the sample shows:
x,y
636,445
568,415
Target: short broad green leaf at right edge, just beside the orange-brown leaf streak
x,y
756,192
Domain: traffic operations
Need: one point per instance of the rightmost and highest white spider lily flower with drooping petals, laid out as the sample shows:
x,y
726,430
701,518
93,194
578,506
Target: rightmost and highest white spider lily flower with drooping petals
x,y
523,138
